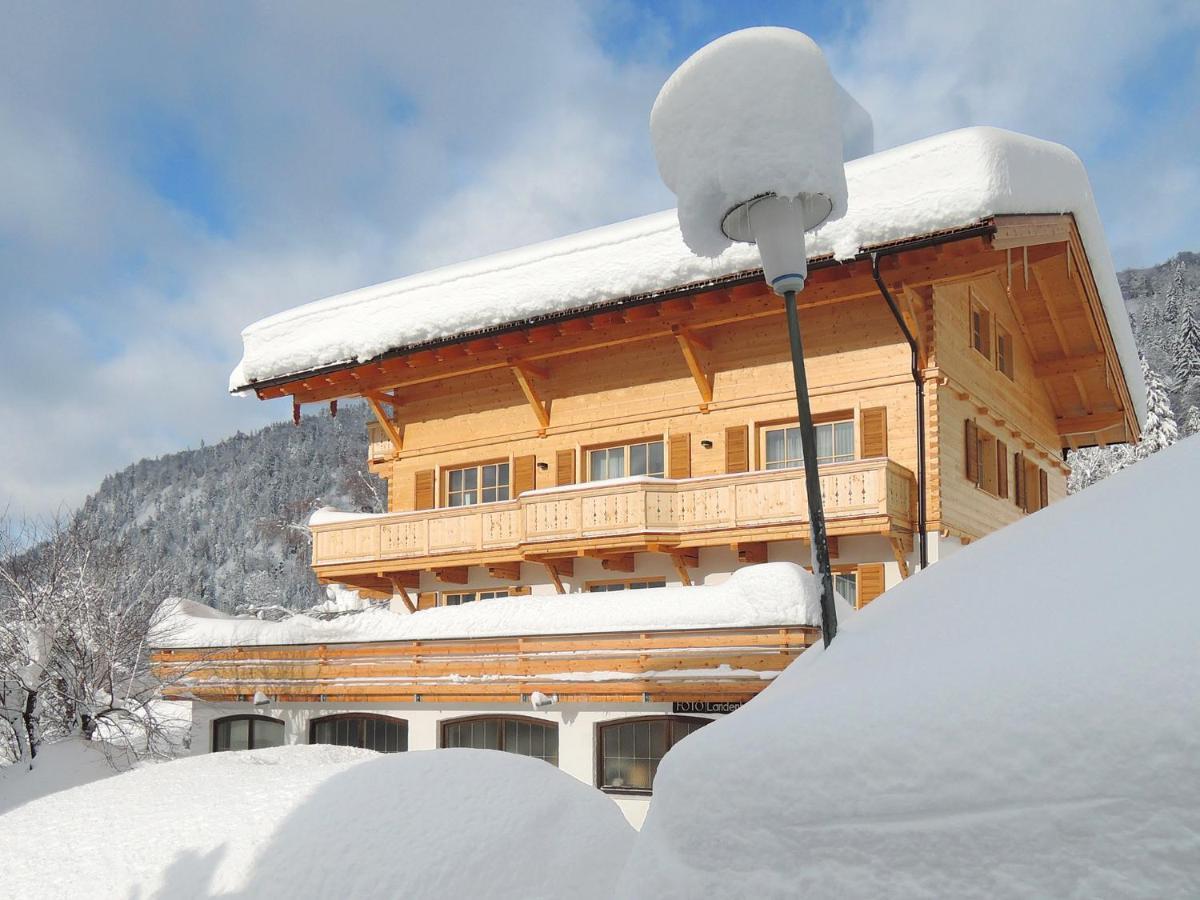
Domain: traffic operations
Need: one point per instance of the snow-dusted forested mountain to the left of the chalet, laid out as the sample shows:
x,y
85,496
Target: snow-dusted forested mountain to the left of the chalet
x,y
225,525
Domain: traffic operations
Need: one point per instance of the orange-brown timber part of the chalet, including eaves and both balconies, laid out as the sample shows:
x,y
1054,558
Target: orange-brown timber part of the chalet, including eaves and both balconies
x,y
1015,355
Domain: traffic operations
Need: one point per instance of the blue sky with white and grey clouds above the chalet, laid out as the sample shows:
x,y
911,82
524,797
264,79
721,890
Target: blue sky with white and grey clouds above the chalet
x,y
173,172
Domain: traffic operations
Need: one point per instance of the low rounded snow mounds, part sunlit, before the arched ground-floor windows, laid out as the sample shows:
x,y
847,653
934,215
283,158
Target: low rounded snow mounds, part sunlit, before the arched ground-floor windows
x,y
321,821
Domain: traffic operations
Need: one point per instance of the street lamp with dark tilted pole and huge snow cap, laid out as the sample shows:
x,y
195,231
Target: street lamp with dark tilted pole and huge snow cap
x,y
747,134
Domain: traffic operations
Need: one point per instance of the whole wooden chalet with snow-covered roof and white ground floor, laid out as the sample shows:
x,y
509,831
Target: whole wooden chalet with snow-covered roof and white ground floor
x,y
607,415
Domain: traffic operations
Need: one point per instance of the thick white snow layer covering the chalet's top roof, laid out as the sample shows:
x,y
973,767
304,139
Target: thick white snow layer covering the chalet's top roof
x,y
946,182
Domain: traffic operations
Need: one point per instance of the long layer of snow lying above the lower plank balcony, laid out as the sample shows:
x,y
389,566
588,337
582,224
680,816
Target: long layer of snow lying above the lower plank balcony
x,y
770,595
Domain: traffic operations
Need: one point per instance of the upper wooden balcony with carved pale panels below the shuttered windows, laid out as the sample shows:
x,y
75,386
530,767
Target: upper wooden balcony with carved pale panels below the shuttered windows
x,y
861,497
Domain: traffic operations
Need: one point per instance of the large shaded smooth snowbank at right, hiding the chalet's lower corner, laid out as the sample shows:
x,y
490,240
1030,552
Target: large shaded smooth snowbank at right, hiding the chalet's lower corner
x,y
1021,721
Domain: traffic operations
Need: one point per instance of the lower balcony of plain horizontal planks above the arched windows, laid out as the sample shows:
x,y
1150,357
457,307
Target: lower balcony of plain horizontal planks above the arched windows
x,y
728,664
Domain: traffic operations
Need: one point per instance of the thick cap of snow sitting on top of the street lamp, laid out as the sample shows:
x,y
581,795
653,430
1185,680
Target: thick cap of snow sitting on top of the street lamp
x,y
755,112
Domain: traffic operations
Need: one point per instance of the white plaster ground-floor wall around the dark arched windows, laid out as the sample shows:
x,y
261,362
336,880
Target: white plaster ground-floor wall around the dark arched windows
x,y
577,730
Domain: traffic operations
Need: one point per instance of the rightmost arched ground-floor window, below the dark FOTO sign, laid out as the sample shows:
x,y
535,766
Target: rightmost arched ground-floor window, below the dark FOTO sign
x,y
629,752
